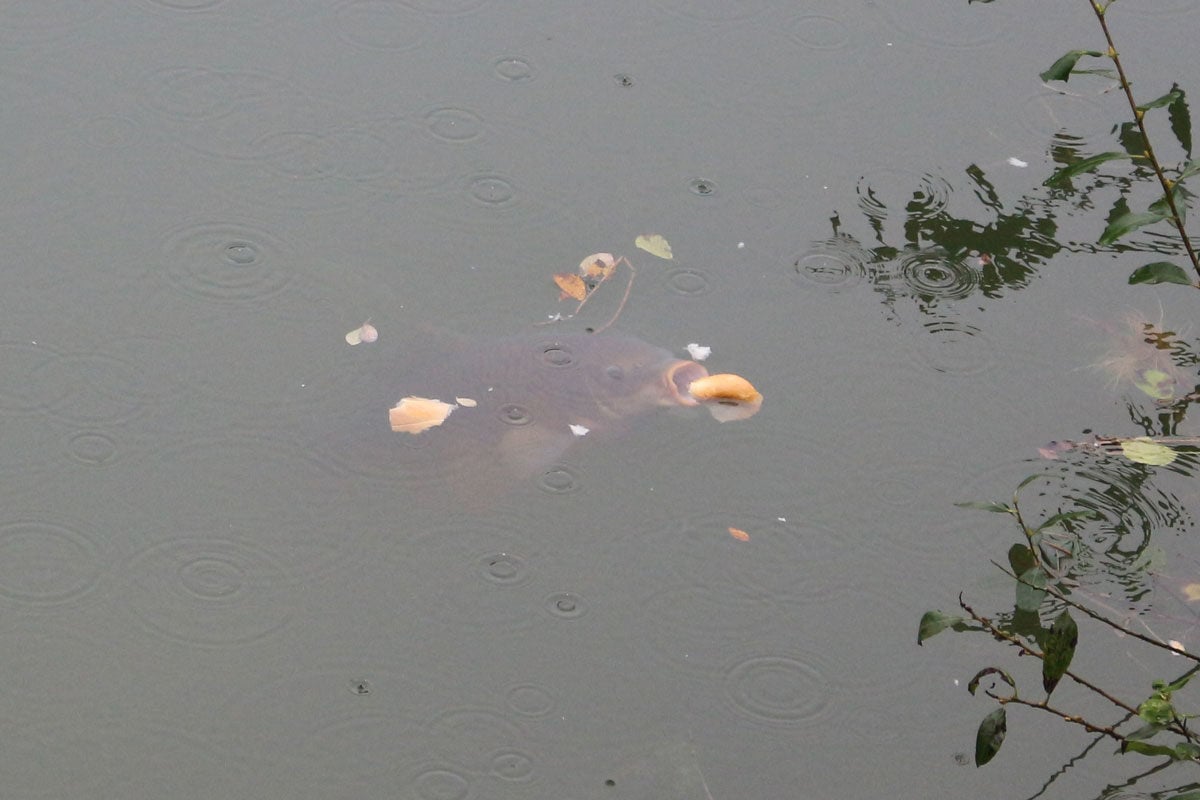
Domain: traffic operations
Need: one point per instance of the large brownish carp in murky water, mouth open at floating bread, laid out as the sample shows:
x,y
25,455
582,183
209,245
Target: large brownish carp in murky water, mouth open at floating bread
x,y
513,407
